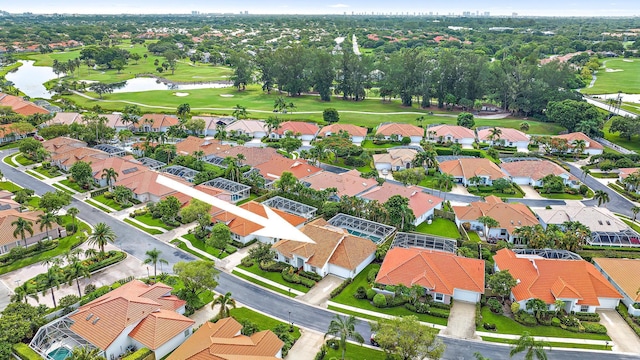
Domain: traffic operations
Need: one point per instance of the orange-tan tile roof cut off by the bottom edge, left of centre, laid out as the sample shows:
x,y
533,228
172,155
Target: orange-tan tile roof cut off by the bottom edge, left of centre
x,y
222,341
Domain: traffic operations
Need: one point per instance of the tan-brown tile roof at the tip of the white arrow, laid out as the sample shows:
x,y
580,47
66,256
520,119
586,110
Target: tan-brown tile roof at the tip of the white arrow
x,y
333,245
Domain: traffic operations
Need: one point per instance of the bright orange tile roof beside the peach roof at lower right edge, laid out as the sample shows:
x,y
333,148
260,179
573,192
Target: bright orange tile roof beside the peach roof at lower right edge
x,y
550,279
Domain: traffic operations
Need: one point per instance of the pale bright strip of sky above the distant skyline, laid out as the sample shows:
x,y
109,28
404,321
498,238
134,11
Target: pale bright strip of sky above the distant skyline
x,y
495,7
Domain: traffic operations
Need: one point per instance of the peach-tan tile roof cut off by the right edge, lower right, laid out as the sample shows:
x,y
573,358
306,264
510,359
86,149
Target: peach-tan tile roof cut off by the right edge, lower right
x,y
619,271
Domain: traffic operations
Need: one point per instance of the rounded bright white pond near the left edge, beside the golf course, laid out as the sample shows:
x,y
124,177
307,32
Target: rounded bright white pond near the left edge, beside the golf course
x,y
30,79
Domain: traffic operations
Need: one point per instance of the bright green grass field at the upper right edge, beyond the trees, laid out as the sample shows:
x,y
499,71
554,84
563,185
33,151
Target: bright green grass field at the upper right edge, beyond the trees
x,y
627,80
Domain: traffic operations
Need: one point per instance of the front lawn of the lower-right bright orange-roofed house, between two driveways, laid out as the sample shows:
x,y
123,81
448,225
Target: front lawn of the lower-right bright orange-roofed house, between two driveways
x,y
507,325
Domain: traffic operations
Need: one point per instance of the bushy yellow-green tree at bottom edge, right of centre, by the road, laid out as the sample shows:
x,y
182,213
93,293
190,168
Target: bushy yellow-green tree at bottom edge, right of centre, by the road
x,y
405,338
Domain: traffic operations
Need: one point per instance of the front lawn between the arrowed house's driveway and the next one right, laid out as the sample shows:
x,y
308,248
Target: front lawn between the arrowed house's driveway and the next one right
x,y
346,298
